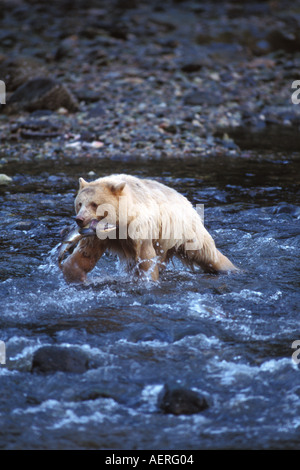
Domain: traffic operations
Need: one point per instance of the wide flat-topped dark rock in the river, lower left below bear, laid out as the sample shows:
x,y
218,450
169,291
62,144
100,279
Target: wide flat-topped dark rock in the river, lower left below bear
x,y
49,359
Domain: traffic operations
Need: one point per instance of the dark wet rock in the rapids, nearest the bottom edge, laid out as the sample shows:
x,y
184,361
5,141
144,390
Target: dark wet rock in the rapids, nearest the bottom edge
x,y
181,400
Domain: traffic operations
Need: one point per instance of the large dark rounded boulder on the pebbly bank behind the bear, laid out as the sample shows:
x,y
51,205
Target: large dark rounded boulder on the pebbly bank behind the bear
x,y
42,93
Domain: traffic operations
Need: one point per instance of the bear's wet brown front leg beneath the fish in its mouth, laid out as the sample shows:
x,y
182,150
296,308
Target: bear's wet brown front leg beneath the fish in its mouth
x,y
82,260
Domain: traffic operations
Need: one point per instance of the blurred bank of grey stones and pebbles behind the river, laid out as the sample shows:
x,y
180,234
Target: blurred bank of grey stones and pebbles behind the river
x,y
148,80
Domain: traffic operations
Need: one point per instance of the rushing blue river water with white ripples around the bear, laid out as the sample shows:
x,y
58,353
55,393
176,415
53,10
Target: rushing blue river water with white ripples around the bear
x,y
228,337
